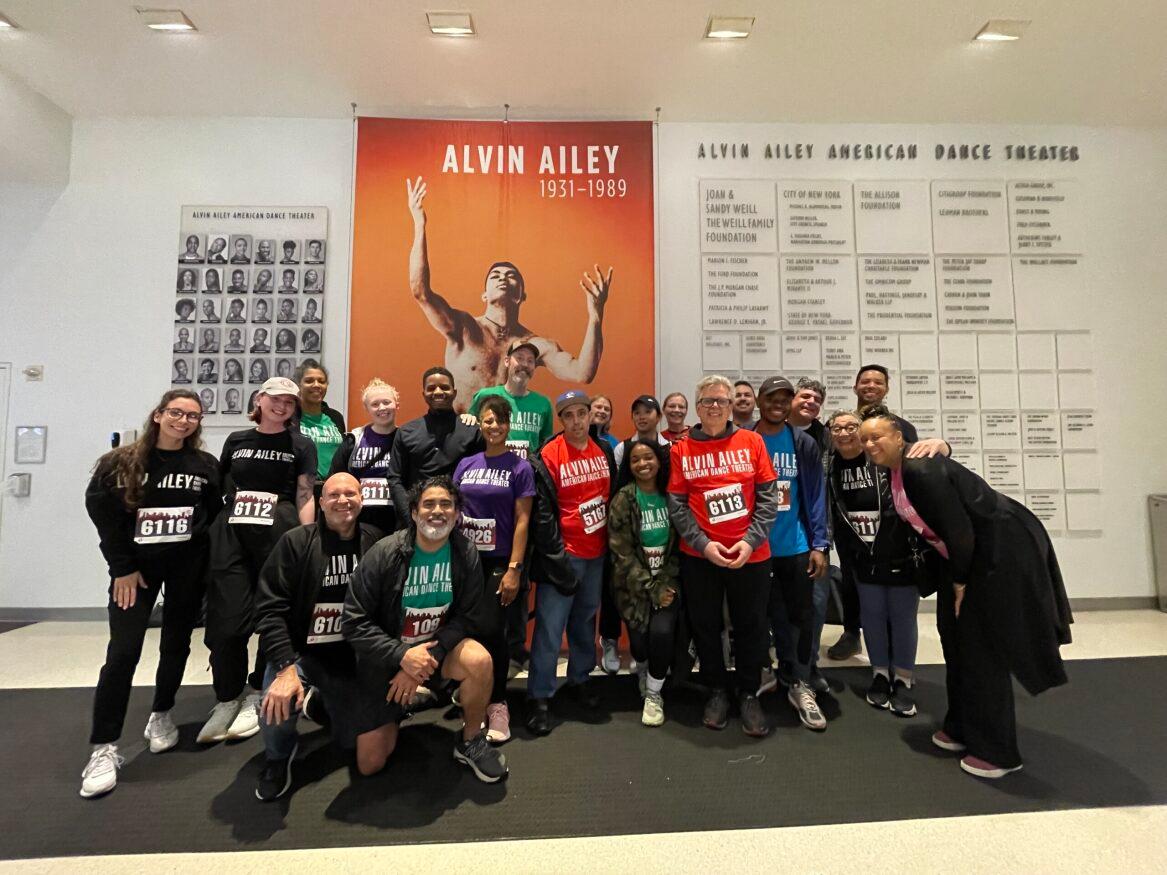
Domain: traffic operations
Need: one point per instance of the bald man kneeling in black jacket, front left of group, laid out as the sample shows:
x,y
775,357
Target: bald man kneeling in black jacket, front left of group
x,y
298,608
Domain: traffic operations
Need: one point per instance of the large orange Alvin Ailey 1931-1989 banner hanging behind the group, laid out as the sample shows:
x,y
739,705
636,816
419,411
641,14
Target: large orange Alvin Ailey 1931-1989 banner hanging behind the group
x,y
472,235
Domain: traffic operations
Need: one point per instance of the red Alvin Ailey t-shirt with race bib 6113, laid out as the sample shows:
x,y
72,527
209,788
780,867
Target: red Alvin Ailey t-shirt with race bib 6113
x,y
718,479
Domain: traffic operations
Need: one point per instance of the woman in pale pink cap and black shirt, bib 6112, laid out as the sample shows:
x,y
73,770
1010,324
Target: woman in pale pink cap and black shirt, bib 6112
x,y
268,477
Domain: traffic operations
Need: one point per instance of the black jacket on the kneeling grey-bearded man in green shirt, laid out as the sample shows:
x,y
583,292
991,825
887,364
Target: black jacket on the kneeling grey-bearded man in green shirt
x,y
373,608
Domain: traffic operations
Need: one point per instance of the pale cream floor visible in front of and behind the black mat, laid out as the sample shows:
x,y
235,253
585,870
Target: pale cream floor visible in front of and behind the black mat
x,y
1130,841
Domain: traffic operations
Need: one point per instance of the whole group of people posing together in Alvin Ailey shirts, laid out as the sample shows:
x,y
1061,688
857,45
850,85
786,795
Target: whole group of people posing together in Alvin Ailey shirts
x,y
390,566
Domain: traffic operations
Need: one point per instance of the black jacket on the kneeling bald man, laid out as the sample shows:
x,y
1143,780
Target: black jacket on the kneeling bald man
x,y
289,586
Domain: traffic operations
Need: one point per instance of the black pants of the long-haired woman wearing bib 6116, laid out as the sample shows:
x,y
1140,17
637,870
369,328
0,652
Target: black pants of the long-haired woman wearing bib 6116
x,y
184,572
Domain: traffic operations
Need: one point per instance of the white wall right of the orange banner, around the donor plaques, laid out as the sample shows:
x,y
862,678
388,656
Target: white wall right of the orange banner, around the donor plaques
x,y
1124,176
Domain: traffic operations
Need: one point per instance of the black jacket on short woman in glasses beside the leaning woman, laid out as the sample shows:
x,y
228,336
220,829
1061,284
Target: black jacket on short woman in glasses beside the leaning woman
x,y
897,556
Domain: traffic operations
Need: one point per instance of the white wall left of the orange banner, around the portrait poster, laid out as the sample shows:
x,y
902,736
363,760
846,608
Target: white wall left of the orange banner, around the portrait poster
x,y
90,299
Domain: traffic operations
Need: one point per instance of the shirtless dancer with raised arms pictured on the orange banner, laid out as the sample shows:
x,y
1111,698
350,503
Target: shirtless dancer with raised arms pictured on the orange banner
x,y
477,346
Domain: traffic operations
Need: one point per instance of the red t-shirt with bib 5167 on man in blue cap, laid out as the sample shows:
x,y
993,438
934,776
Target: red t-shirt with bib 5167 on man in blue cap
x,y
583,485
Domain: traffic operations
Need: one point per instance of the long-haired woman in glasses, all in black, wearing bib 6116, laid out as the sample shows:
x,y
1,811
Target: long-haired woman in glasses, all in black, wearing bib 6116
x,y
152,502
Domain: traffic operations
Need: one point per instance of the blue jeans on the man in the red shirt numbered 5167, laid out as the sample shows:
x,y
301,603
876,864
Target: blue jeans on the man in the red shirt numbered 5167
x,y
556,613
